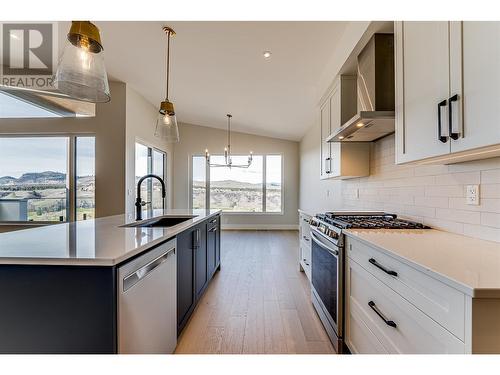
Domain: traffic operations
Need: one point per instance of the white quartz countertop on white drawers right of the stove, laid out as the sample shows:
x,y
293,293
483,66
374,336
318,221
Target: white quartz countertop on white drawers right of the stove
x,y
468,264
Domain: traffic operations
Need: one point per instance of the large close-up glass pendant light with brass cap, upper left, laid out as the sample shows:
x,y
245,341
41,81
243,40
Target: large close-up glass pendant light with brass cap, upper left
x,y
81,73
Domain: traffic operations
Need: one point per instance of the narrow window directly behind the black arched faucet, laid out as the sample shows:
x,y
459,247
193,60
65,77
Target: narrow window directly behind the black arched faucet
x,y
149,160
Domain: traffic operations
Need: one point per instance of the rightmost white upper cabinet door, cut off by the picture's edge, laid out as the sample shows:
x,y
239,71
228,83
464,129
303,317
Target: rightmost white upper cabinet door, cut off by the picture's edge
x,y
481,86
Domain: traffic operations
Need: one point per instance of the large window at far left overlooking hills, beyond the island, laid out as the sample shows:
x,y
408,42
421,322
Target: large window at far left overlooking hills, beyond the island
x,y
34,182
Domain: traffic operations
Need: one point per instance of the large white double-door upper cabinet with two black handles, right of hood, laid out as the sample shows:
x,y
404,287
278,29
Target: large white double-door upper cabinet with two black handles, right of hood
x,y
447,90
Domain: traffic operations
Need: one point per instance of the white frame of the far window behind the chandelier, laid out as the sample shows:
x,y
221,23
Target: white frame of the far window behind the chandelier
x,y
264,185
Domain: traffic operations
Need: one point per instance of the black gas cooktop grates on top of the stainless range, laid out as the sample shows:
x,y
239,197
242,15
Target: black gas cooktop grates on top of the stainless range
x,y
367,220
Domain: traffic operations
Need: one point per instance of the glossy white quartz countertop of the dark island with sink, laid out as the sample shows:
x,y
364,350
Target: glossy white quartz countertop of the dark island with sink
x,y
99,242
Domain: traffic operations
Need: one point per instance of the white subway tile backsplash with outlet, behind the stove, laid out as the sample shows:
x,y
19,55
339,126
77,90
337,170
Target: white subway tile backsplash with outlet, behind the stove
x,y
431,194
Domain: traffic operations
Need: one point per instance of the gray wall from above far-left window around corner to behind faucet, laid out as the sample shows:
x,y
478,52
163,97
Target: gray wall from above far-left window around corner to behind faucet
x,y
117,125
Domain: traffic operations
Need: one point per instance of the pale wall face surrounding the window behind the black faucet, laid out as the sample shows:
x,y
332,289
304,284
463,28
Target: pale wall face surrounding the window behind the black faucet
x,y
141,122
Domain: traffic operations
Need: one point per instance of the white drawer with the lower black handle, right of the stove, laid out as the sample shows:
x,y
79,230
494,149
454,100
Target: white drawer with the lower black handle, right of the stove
x,y
397,324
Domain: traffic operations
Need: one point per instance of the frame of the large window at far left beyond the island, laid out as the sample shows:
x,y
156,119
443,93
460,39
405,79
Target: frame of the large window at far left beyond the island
x,y
71,213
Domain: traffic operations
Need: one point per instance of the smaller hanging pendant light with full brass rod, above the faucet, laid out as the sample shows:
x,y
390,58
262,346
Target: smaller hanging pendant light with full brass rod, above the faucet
x,y
166,124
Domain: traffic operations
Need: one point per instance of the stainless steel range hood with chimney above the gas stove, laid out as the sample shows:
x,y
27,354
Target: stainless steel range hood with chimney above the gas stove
x,y
375,91
